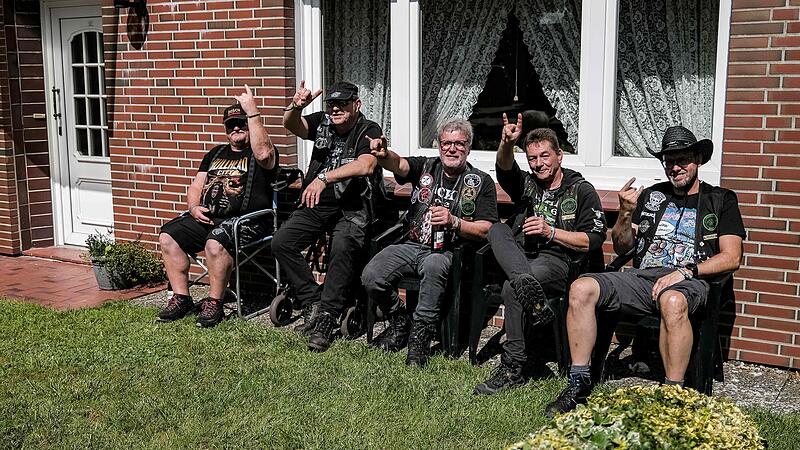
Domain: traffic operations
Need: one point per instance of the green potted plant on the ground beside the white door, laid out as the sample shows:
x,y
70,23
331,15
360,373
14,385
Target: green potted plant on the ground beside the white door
x,y
121,265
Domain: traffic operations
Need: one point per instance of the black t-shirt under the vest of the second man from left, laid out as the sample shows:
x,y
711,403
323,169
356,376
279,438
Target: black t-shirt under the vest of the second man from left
x,y
329,150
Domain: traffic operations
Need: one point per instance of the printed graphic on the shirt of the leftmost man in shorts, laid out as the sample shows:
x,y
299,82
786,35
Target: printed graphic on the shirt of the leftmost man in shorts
x,y
225,184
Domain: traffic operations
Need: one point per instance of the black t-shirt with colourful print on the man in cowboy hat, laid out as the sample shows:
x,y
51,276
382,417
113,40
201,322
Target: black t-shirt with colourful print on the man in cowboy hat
x,y
674,240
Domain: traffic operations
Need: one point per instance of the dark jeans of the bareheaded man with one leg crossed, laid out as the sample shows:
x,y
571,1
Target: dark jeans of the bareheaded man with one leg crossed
x,y
549,270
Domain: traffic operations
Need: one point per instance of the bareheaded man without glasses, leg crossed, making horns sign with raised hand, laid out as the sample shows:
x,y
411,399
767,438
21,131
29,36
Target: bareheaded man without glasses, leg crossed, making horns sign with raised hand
x,y
559,220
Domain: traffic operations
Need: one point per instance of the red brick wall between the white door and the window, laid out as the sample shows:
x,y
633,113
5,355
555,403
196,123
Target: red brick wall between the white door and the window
x,y
169,95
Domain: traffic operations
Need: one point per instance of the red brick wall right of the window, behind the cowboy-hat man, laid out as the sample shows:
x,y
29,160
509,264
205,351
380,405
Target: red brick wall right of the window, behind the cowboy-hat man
x,y
761,162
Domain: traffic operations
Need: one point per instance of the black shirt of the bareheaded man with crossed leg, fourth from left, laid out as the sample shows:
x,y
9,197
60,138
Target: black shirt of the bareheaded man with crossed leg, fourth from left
x,y
589,216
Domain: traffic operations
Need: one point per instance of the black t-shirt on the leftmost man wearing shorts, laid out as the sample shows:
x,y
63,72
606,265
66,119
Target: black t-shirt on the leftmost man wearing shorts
x,y
226,183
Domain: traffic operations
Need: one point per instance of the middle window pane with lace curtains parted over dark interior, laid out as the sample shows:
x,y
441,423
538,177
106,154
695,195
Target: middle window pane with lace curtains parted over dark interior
x,y
501,57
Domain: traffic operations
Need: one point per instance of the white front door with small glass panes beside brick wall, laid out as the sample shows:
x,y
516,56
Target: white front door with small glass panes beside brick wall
x,y
82,175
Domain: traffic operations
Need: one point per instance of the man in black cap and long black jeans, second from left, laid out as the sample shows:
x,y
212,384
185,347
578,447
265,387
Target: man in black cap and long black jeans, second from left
x,y
338,196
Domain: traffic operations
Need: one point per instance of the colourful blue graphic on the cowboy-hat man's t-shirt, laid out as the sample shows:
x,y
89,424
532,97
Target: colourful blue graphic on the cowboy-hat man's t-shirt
x,y
673,243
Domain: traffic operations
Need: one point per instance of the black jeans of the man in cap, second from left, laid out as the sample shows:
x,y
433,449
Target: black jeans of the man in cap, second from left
x,y
345,256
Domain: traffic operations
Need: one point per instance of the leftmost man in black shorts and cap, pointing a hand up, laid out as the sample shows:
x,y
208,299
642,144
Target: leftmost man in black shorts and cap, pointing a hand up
x,y
233,179
